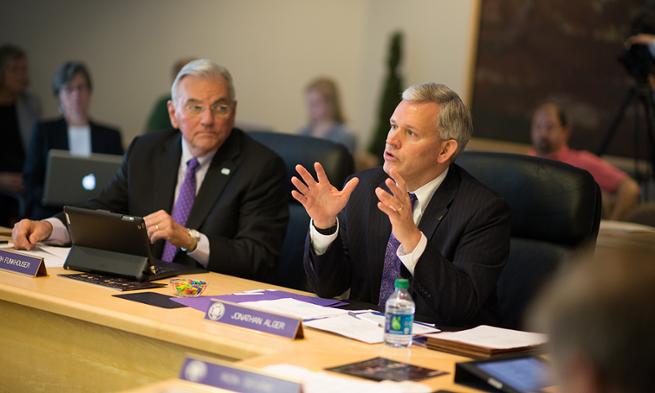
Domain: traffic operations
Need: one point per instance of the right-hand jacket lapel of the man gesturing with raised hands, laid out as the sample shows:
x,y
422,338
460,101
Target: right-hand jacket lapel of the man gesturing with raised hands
x,y
438,206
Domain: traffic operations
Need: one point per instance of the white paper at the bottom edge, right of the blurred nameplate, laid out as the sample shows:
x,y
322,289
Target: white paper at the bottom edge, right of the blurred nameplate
x,y
323,382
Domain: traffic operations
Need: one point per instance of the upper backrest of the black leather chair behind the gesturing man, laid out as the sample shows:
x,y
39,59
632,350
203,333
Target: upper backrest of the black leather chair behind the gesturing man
x,y
549,200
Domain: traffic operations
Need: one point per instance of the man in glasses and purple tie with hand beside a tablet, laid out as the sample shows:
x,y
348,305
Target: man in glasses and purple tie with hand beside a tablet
x,y
209,194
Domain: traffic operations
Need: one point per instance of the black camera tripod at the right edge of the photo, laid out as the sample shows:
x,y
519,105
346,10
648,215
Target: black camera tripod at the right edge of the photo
x,y
642,92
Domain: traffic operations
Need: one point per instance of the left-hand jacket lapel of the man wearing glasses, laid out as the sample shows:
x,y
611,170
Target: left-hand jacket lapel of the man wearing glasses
x,y
165,174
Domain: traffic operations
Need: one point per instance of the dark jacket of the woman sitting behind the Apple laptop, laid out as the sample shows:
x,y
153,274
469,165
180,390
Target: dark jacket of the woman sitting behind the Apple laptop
x,y
53,134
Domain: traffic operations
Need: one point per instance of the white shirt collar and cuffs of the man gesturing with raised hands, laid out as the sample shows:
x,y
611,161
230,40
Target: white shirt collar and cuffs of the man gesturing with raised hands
x,y
320,242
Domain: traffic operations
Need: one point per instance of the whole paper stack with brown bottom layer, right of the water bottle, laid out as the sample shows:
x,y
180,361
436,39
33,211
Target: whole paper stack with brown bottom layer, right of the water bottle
x,y
486,341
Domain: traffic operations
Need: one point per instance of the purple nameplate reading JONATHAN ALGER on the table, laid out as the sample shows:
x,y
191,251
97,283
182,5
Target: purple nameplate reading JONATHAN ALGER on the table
x,y
238,315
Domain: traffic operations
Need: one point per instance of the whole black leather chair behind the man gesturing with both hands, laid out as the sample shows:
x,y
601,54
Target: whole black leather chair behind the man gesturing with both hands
x,y
555,210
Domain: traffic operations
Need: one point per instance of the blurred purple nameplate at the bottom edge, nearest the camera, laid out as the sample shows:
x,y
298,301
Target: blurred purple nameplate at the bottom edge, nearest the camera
x,y
236,379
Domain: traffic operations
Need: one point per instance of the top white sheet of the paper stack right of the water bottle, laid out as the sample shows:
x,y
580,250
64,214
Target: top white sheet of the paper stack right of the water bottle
x,y
494,337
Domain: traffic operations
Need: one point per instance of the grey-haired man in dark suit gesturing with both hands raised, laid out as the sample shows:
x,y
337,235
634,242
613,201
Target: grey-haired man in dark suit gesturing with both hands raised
x,y
420,216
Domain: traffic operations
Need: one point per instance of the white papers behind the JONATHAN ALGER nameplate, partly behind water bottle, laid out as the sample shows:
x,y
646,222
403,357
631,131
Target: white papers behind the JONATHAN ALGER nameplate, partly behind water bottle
x,y
366,327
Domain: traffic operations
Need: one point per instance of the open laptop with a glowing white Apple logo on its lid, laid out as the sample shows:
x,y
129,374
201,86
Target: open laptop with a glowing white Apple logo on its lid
x,y
72,179
